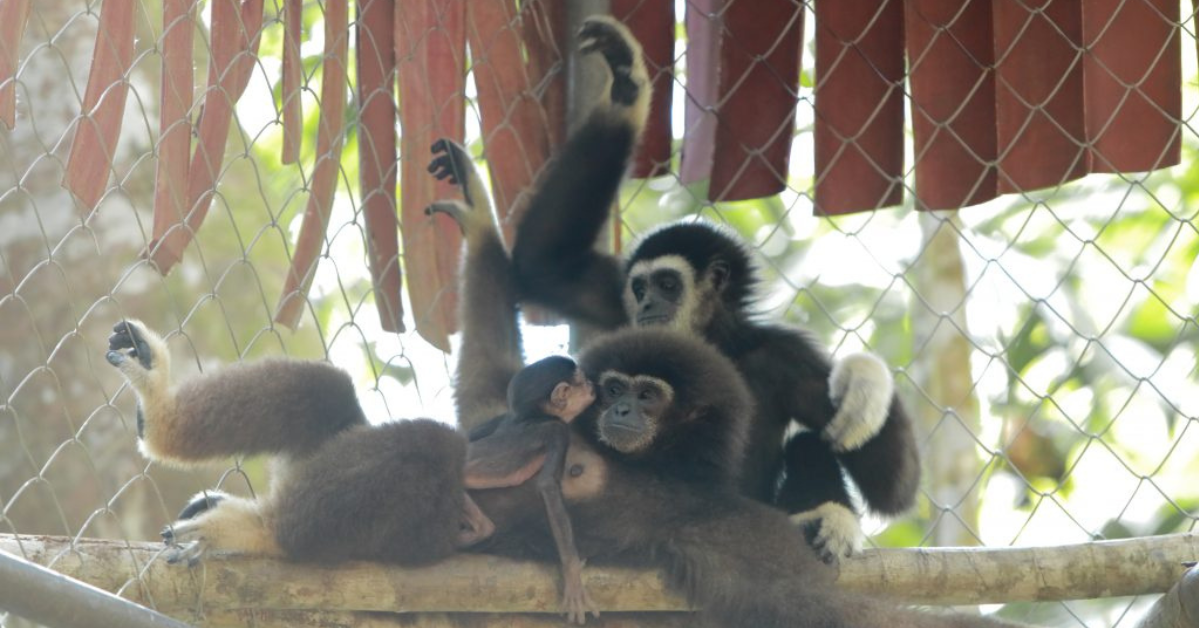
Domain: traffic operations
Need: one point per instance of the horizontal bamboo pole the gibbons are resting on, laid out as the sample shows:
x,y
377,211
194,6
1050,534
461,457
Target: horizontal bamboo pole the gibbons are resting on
x,y
489,584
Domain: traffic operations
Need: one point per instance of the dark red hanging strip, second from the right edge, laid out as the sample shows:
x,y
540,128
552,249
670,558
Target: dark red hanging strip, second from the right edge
x,y
1039,94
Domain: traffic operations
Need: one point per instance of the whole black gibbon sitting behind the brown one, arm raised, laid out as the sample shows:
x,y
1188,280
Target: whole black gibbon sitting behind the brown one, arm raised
x,y
700,279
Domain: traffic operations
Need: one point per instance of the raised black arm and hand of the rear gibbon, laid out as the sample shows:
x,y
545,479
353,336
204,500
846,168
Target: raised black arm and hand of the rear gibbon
x,y
553,256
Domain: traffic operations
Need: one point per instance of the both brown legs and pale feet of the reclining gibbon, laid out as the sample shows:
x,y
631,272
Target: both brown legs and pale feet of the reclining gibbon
x,y
341,490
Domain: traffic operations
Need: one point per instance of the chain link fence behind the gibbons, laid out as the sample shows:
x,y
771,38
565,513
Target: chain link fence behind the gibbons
x,y
1046,339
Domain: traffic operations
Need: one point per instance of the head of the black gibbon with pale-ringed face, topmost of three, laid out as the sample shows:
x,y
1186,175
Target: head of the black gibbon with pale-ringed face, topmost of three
x,y
684,275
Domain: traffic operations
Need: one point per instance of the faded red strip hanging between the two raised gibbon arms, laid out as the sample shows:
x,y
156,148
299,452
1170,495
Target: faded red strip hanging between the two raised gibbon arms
x,y
516,130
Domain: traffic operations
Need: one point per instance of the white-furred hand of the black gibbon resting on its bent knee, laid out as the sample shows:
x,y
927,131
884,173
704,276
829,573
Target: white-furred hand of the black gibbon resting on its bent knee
x,y
860,387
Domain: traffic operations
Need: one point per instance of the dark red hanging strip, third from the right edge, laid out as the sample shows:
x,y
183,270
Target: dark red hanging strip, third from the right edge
x,y
951,55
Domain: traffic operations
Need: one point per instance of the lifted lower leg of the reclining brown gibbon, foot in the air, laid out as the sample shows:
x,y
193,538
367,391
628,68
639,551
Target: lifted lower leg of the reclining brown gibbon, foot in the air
x,y
280,407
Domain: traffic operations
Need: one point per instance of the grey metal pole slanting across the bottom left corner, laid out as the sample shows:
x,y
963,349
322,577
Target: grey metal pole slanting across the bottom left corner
x,y
53,600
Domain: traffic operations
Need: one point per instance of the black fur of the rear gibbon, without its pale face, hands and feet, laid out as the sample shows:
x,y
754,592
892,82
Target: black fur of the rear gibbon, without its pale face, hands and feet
x,y
556,265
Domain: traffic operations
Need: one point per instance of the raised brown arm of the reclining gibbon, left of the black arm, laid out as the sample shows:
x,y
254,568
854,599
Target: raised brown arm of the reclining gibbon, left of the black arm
x,y
487,310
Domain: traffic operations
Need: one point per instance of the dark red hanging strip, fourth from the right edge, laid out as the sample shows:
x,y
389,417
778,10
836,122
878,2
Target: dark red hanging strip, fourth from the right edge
x,y
859,106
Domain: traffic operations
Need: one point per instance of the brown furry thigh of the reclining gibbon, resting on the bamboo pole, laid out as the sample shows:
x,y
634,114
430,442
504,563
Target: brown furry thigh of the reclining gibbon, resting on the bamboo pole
x,y
358,497
